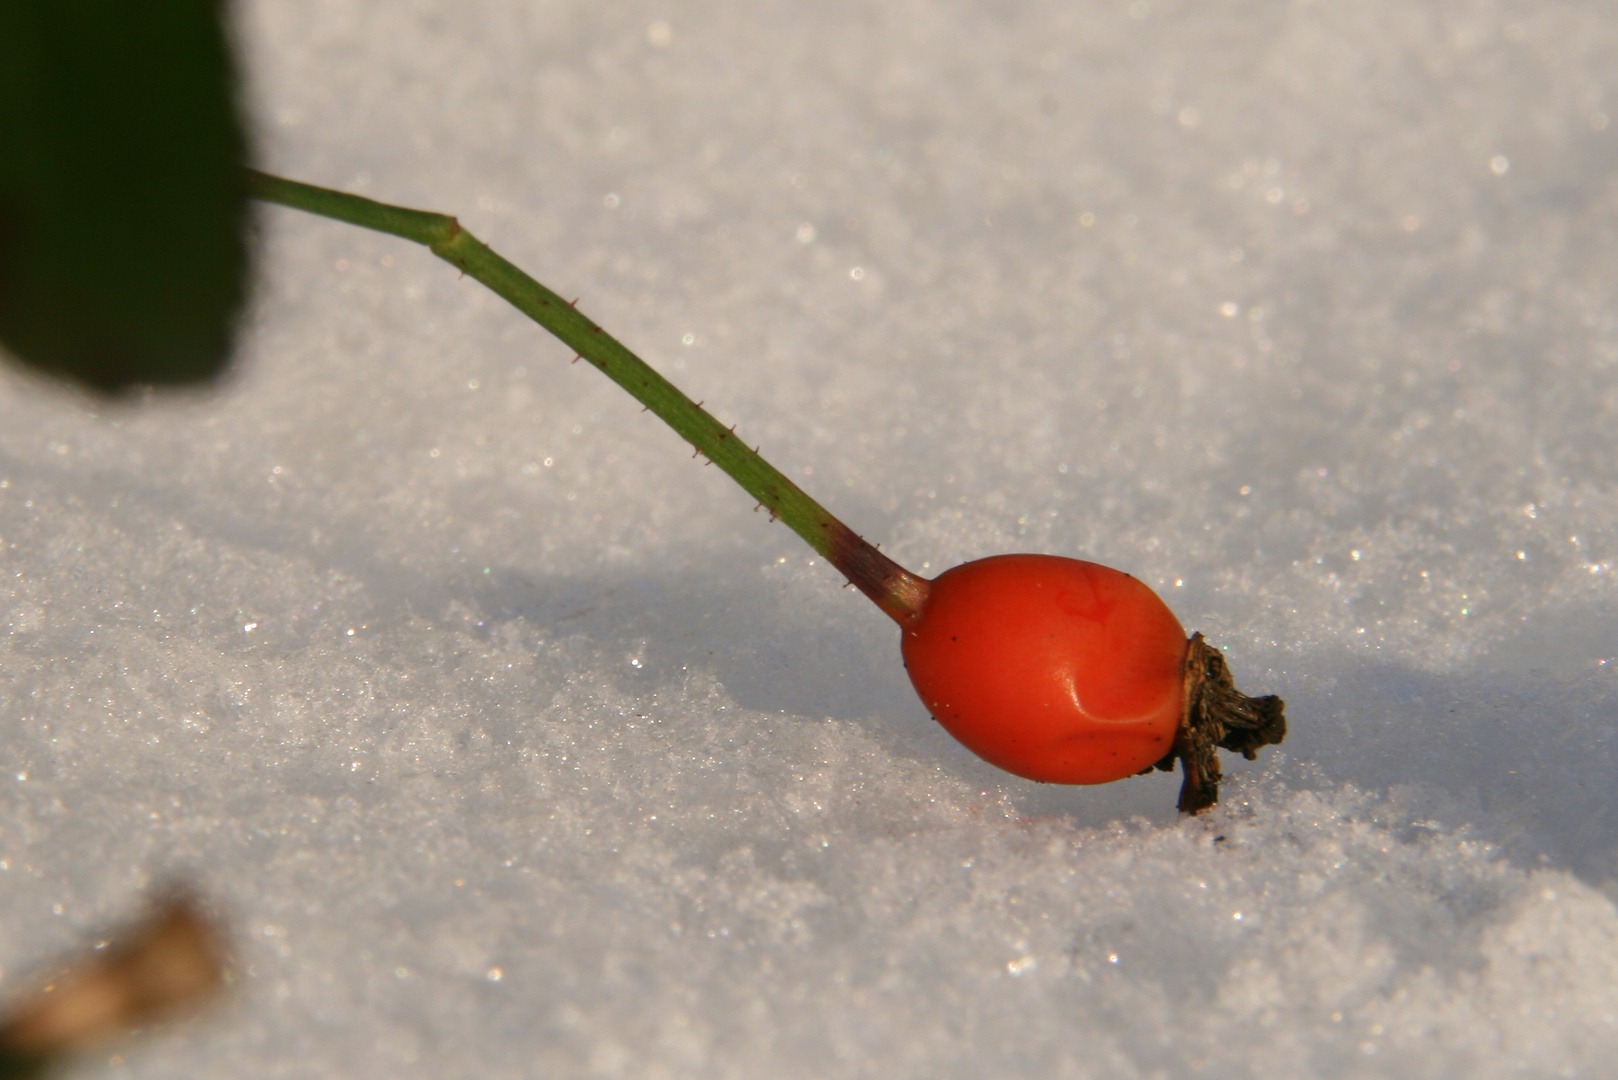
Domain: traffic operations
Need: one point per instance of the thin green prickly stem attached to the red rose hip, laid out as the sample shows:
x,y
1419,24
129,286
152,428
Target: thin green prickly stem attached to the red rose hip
x,y
894,589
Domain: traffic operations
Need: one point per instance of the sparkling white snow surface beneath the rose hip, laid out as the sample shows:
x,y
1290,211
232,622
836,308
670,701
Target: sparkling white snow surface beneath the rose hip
x,y
515,744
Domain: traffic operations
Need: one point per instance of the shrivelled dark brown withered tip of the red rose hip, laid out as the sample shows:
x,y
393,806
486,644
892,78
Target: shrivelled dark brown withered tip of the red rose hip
x,y
1218,716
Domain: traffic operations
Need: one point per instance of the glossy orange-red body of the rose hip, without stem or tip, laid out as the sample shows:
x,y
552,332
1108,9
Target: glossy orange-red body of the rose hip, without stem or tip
x,y
1054,670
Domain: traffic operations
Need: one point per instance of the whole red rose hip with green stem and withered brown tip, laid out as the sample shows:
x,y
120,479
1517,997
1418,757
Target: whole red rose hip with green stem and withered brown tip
x,y
1051,668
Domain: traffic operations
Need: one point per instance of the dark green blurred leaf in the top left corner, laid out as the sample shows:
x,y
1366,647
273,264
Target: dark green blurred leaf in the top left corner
x,y
122,206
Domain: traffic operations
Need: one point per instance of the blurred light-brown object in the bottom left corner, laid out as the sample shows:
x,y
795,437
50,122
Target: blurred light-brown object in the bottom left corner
x,y
161,969
